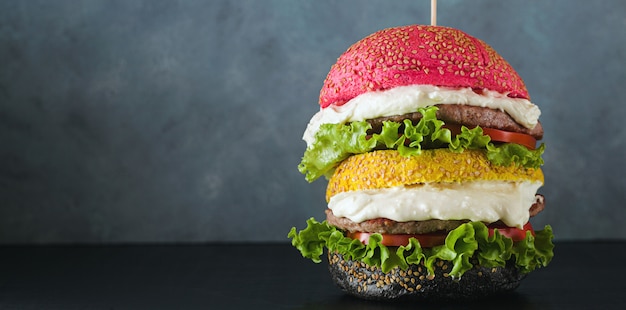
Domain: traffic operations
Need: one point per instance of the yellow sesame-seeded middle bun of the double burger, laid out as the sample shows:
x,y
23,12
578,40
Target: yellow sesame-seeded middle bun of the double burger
x,y
387,168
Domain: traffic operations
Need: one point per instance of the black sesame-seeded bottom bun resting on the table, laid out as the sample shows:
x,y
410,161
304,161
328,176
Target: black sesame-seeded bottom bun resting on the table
x,y
368,282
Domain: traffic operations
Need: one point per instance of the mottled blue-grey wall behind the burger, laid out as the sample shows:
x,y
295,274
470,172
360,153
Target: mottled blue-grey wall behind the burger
x,y
181,121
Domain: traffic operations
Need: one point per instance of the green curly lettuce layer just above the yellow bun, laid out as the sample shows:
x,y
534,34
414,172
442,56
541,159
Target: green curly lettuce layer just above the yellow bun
x,y
336,142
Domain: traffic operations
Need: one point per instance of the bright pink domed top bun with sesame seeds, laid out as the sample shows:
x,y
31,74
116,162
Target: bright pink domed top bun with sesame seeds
x,y
416,54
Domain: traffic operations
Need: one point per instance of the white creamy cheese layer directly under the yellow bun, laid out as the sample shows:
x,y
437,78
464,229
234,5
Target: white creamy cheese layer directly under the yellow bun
x,y
484,201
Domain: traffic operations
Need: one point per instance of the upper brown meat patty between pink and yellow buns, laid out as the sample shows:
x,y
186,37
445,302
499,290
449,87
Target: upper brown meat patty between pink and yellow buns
x,y
466,115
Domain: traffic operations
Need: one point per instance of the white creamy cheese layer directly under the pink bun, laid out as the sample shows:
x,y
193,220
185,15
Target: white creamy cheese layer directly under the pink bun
x,y
406,99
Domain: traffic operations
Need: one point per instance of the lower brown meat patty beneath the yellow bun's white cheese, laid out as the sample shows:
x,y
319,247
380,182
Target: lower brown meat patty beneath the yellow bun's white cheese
x,y
387,226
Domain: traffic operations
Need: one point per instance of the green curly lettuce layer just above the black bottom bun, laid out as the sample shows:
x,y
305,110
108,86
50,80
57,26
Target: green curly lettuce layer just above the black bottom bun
x,y
466,241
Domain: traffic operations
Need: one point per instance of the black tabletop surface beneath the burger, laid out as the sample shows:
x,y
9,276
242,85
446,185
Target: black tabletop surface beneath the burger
x,y
582,275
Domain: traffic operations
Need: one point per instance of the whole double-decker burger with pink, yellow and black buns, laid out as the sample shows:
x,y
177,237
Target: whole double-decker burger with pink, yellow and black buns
x,y
429,142
